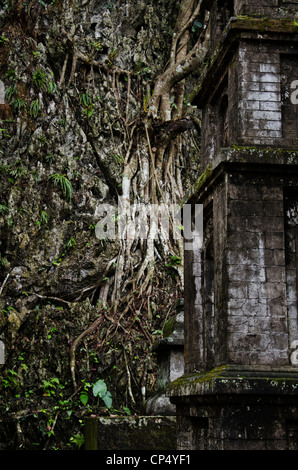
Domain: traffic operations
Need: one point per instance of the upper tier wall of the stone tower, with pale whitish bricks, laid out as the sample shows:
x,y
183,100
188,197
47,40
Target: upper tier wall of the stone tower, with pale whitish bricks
x,y
254,99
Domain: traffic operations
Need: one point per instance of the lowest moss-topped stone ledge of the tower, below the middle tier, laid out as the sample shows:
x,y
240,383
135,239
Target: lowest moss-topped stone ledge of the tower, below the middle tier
x,y
234,380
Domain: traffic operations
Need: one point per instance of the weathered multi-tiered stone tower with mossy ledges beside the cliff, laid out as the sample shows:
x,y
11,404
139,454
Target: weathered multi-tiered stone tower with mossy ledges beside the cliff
x,y
240,388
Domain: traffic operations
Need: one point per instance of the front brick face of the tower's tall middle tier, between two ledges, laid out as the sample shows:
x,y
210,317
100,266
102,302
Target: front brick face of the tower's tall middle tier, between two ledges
x,y
257,331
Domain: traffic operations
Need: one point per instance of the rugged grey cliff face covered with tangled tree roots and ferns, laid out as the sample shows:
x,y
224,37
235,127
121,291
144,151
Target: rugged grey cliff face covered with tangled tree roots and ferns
x,y
78,76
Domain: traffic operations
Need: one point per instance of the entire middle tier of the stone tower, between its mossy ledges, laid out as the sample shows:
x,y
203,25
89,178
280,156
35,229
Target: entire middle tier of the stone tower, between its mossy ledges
x,y
253,235
